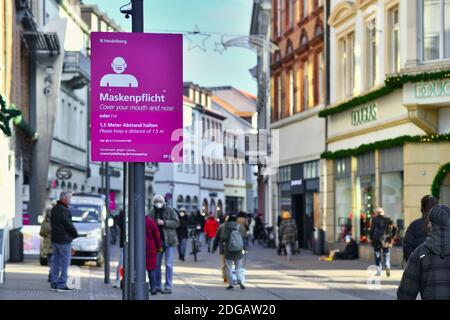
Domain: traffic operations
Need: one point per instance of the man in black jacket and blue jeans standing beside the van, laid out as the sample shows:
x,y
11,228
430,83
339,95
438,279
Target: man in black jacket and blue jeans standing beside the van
x,y
62,233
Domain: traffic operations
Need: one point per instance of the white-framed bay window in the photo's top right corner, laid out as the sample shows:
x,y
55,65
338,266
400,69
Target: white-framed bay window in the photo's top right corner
x,y
436,29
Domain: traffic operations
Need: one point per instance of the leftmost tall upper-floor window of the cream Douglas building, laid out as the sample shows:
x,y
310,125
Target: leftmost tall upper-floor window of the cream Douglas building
x,y
347,48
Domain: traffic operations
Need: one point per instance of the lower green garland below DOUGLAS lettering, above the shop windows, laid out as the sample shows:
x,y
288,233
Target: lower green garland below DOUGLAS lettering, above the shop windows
x,y
385,144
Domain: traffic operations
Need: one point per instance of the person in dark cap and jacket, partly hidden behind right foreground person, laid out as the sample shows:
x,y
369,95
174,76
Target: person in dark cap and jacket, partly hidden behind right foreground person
x,y
418,230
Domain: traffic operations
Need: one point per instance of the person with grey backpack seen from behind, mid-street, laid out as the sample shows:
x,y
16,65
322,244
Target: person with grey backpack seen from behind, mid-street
x,y
233,241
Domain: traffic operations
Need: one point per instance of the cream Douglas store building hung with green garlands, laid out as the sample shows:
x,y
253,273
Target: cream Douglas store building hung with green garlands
x,y
388,119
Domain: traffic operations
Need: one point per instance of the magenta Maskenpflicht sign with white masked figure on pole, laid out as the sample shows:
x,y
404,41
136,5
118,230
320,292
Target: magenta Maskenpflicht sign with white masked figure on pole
x,y
136,97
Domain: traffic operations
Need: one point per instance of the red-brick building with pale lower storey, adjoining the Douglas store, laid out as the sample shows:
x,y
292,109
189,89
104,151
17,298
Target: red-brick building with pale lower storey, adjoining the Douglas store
x,y
297,85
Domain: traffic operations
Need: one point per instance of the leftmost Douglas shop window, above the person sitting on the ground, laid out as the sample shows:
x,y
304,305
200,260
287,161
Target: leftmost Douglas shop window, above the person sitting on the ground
x,y
343,208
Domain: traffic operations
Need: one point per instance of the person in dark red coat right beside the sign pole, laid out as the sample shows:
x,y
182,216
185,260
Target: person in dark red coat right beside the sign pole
x,y
153,245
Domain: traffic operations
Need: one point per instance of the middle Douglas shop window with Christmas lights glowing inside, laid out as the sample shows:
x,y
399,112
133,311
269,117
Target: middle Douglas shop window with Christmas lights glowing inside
x,y
365,201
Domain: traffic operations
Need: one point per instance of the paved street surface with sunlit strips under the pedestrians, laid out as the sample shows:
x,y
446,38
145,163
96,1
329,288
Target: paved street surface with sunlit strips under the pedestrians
x,y
268,277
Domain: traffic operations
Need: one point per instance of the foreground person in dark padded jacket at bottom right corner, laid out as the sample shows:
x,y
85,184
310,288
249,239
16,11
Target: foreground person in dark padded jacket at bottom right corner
x,y
428,269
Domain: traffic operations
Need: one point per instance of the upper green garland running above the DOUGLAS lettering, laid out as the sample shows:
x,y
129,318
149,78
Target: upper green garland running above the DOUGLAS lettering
x,y
391,84
